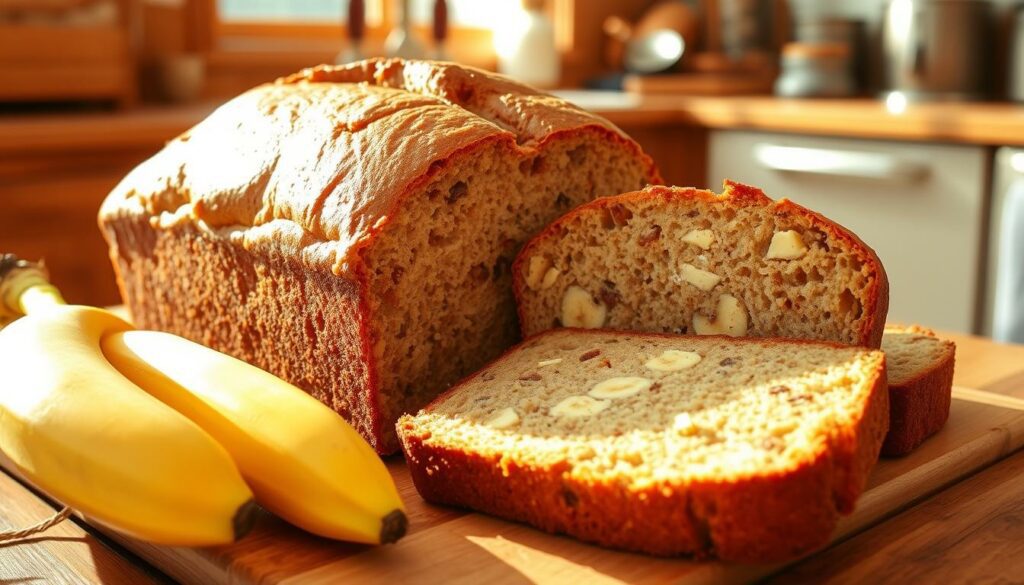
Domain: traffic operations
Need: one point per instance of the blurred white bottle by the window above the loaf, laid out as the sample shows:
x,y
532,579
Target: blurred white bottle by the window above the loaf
x,y
527,49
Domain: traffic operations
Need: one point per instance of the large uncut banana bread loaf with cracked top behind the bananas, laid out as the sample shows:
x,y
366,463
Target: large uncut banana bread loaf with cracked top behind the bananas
x,y
352,229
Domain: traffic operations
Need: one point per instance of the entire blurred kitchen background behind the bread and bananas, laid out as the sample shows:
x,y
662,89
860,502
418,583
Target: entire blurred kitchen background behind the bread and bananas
x,y
900,119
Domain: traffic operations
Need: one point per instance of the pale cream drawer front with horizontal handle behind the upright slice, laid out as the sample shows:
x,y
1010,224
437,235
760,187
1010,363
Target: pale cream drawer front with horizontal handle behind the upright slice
x,y
919,206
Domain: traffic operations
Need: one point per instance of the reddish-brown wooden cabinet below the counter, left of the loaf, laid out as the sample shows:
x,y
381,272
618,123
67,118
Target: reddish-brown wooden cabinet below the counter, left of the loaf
x,y
56,172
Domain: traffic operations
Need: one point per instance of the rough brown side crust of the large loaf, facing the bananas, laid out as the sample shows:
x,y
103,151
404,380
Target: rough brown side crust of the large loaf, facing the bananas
x,y
254,308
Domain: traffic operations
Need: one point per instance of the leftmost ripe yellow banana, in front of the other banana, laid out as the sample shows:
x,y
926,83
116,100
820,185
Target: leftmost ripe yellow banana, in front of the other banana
x,y
98,443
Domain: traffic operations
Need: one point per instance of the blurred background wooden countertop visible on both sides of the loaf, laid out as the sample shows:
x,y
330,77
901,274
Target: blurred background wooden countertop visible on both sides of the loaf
x,y
995,124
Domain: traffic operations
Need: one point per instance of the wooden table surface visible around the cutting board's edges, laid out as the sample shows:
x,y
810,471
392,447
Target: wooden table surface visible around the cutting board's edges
x,y
968,532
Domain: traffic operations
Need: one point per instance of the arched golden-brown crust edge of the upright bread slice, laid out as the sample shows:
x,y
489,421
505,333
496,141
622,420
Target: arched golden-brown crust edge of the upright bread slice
x,y
877,306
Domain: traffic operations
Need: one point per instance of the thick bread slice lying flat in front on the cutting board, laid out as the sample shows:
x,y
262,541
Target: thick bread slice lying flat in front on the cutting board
x,y
746,449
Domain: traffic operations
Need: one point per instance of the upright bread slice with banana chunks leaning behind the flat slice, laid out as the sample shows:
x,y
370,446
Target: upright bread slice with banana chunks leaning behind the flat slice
x,y
686,261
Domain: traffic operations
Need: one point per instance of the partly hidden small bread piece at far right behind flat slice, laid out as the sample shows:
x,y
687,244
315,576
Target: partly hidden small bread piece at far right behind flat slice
x,y
921,382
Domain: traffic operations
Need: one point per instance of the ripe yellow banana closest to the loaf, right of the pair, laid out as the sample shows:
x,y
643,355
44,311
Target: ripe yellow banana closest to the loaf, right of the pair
x,y
303,461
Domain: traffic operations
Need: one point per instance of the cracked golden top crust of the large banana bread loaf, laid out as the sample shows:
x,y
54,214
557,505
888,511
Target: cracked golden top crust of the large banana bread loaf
x,y
316,164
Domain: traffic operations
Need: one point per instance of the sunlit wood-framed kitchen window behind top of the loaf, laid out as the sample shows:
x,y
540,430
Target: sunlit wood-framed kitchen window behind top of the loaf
x,y
248,43
